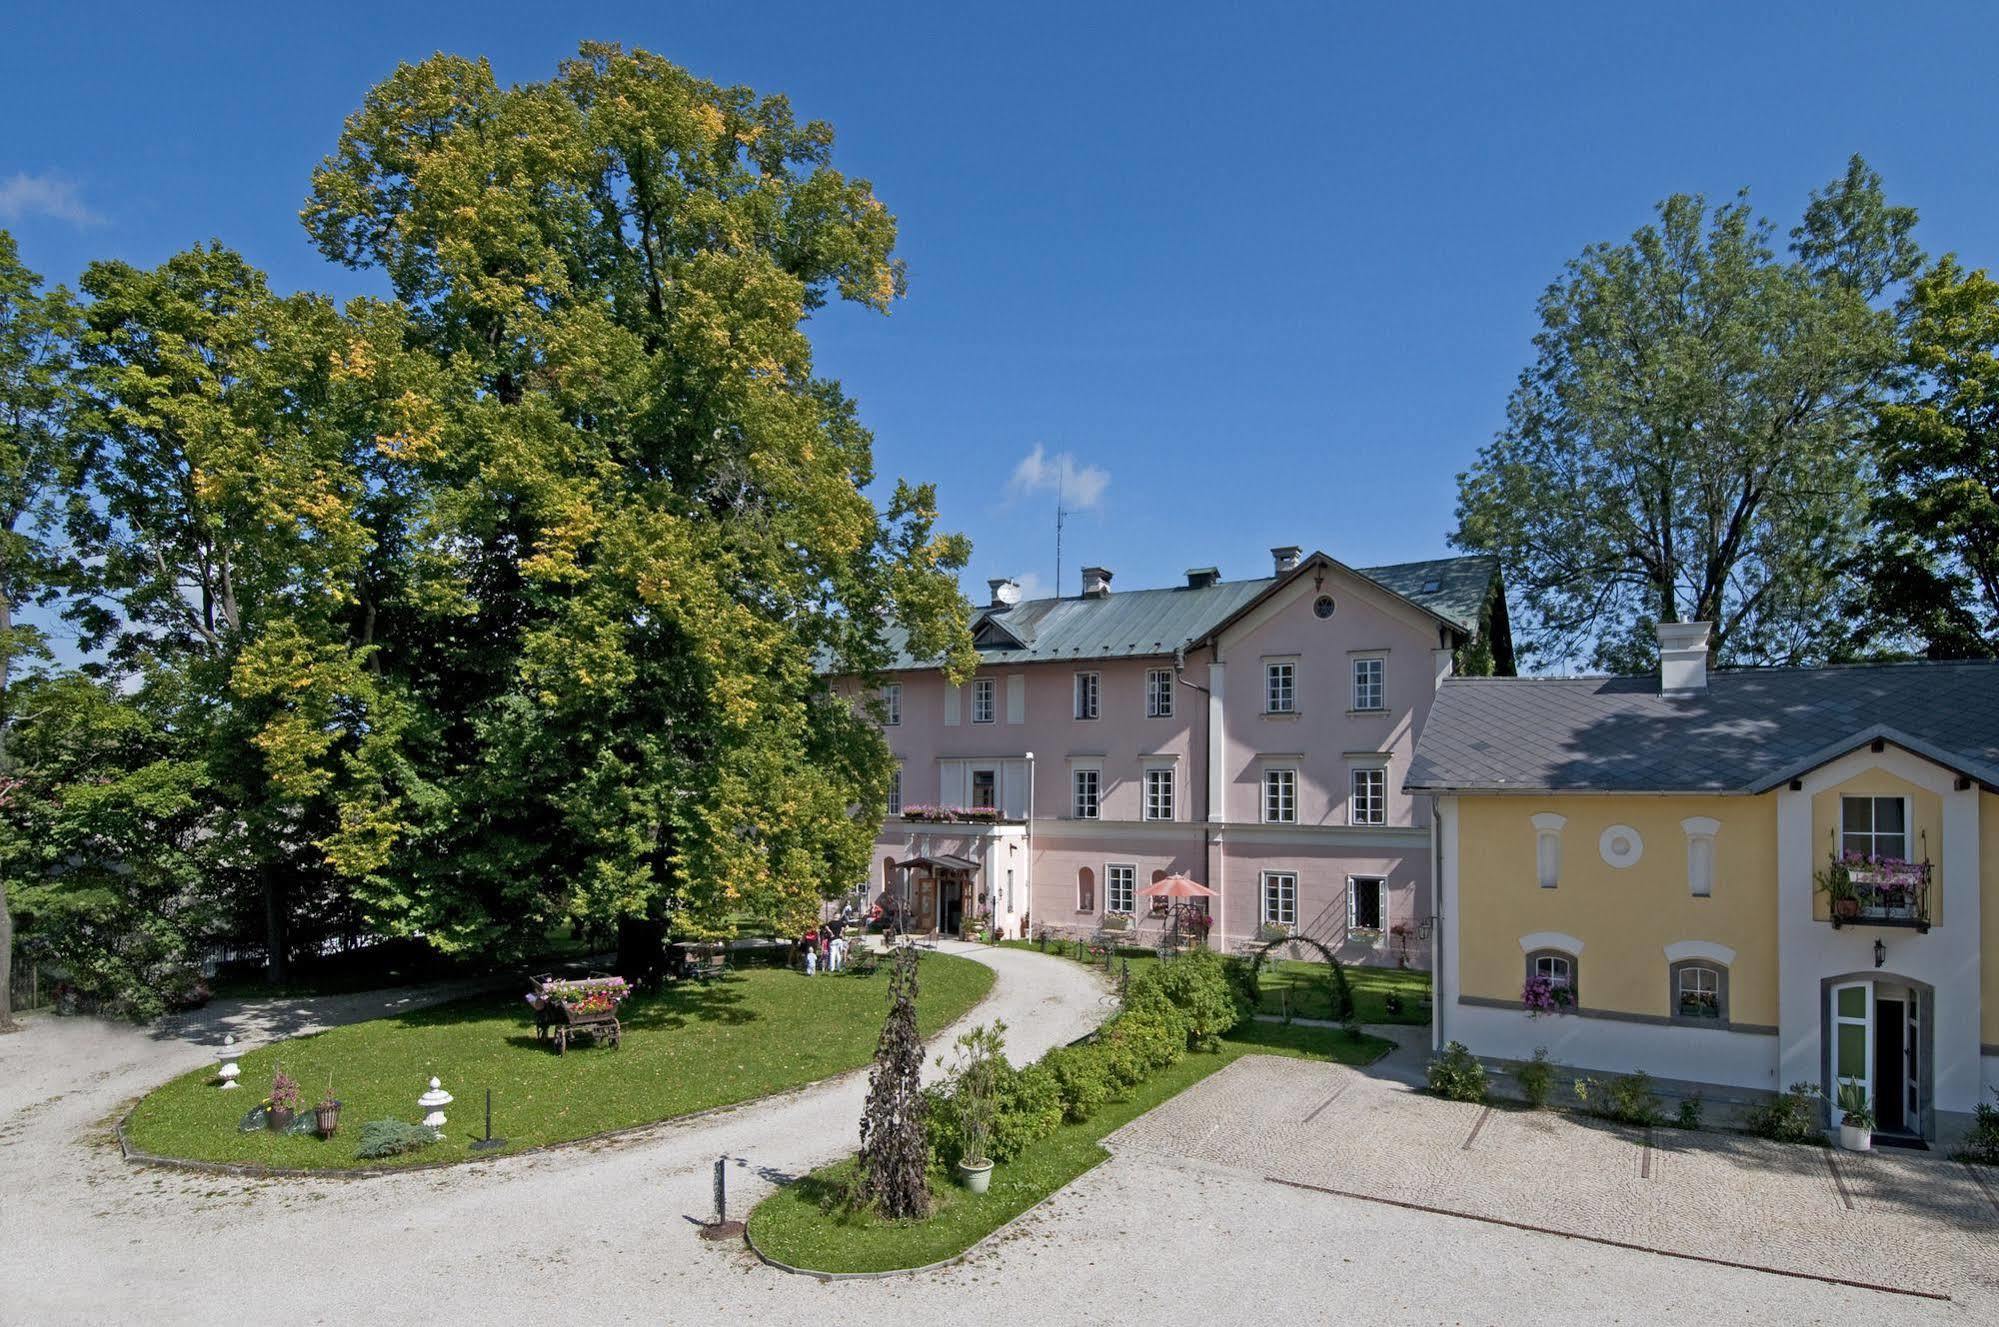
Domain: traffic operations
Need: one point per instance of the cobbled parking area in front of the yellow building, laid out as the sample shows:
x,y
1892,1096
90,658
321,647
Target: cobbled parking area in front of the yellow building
x,y
1912,1222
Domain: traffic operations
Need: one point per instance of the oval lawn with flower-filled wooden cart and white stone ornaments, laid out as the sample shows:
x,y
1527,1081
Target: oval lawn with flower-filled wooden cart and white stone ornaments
x,y
685,1050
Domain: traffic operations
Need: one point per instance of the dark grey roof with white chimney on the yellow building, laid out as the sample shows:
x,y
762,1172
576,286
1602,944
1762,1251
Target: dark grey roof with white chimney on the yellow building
x,y
1748,732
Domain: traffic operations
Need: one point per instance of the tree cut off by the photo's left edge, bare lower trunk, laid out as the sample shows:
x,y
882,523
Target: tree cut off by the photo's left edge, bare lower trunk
x,y
37,479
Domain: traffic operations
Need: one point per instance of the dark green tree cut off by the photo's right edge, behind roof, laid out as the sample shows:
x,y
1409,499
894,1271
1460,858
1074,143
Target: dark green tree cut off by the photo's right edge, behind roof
x,y
1934,565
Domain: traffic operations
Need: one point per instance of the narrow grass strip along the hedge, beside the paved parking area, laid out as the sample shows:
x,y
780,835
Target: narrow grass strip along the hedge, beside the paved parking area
x,y
807,1226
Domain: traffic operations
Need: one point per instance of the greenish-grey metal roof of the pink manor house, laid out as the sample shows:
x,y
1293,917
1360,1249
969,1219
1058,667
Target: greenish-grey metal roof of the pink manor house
x,y
1156,623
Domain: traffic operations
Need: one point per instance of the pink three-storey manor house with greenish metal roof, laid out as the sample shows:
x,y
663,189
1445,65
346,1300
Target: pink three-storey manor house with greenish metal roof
x,y
1246,734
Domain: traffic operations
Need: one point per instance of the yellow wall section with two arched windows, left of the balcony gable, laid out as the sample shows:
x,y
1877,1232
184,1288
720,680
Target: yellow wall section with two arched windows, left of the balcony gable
x,y
1624,916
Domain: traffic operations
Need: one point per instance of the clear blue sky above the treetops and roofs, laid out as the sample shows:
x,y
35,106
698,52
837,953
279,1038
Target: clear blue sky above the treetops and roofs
x,y
1266,275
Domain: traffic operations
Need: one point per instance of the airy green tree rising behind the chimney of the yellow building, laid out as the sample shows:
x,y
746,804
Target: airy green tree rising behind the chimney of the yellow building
x,y
1690,439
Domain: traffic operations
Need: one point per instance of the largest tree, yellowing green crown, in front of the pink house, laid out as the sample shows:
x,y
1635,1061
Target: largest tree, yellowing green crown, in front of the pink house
x,y
649,513
